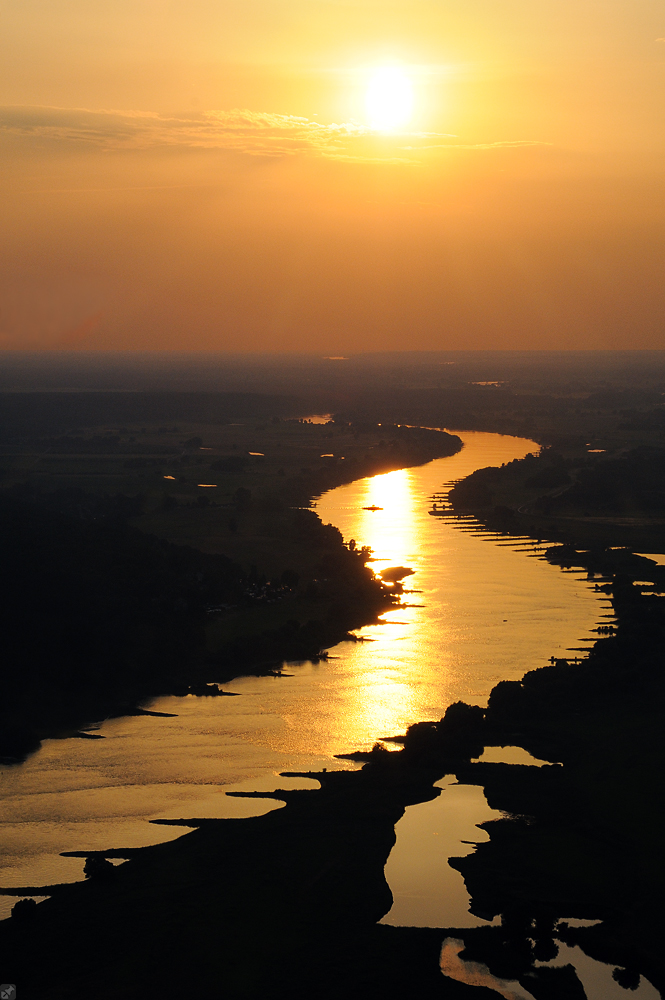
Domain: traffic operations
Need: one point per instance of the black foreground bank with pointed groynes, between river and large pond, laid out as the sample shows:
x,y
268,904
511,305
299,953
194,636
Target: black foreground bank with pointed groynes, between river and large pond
x,y
294,914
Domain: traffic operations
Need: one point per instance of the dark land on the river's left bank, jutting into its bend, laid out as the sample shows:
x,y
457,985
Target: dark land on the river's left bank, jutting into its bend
x,y
128,579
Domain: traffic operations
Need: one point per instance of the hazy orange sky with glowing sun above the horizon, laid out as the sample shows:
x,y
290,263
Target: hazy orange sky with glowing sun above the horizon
x,y
208,174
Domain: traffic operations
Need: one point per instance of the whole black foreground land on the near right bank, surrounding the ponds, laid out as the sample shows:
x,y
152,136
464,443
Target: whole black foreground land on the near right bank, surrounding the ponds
x,y
287,904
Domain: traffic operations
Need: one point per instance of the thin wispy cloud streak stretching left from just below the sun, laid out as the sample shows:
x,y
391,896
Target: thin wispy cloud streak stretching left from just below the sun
x,y
241,131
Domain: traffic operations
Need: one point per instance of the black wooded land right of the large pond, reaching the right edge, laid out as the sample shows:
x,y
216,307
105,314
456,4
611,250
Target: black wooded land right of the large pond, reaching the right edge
x,y
583,839
